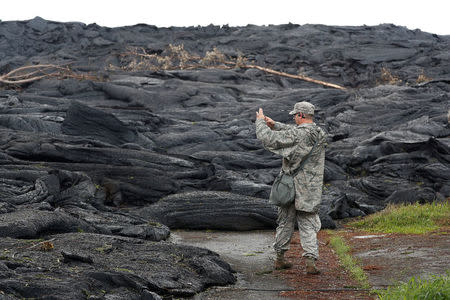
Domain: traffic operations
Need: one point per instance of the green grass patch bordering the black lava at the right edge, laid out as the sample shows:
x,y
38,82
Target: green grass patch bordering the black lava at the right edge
x,y
408,219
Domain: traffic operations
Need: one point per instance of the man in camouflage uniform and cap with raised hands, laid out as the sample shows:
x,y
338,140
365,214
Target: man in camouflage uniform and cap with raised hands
x,y
306,142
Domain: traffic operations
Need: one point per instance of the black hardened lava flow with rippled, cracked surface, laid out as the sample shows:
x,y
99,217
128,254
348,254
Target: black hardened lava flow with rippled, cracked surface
x,y
114,164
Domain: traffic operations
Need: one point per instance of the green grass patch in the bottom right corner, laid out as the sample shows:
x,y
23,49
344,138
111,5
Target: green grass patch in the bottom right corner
x,y
433,288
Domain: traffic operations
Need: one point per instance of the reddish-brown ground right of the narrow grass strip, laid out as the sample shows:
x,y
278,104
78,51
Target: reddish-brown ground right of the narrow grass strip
x,y
390,258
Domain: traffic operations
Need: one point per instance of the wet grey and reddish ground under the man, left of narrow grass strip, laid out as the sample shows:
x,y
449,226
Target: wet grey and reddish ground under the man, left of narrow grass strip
x,y
251,255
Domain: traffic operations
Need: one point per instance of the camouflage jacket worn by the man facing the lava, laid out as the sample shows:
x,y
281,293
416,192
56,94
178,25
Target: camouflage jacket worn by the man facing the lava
x,y
293,143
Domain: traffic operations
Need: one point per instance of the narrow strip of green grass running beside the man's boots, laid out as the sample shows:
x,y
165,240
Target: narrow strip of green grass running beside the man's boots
x,y
348,262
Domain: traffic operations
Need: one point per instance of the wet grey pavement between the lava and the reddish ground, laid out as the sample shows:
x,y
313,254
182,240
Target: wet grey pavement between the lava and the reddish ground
x,y
249,253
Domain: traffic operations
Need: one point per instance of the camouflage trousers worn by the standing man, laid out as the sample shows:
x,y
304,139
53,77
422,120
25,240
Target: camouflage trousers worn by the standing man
x,y
308,226
